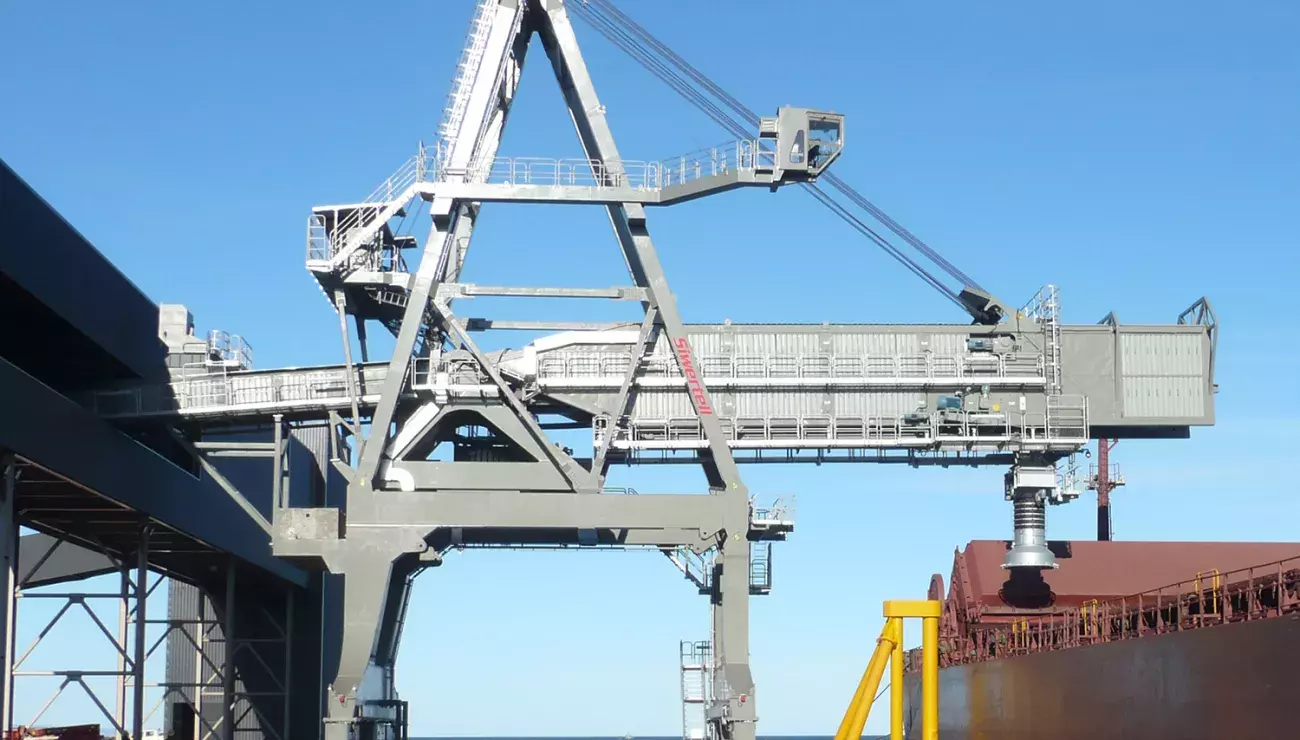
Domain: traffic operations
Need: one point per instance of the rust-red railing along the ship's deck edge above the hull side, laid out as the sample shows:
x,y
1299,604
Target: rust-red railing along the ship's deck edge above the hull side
x,y
1210,599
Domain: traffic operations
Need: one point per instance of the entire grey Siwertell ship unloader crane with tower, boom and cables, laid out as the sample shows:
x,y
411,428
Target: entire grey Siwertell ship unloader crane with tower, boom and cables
x,y
458,452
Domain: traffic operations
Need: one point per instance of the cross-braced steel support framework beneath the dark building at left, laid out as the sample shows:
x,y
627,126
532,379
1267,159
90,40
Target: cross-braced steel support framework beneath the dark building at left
x,y
229,685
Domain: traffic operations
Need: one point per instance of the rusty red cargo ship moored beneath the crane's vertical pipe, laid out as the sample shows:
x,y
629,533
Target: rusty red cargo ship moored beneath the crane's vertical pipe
x,y
1214,656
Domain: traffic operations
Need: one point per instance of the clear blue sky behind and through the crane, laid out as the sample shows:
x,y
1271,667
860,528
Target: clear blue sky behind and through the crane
x,y
1138,155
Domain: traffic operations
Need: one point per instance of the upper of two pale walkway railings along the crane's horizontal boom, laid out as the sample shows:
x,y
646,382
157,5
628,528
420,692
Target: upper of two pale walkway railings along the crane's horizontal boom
x,y
578,366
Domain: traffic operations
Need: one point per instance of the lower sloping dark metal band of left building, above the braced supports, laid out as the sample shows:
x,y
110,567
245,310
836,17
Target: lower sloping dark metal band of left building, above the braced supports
x,y
42,426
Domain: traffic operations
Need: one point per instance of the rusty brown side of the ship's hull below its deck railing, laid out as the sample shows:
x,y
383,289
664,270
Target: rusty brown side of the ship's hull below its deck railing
x,y
1236,681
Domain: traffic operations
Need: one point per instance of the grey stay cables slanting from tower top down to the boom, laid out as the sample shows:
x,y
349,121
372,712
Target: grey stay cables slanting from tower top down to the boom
x,y
621,29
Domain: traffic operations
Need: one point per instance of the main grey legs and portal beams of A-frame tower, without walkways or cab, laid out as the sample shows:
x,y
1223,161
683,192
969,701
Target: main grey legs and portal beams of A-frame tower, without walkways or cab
x,y
402,510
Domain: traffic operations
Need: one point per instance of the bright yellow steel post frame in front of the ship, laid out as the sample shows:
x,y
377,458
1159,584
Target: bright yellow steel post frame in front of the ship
x,y
890,650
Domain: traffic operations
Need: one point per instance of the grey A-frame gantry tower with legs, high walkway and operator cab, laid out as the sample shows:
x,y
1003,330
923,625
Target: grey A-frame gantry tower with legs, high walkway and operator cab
x,y
505,481
